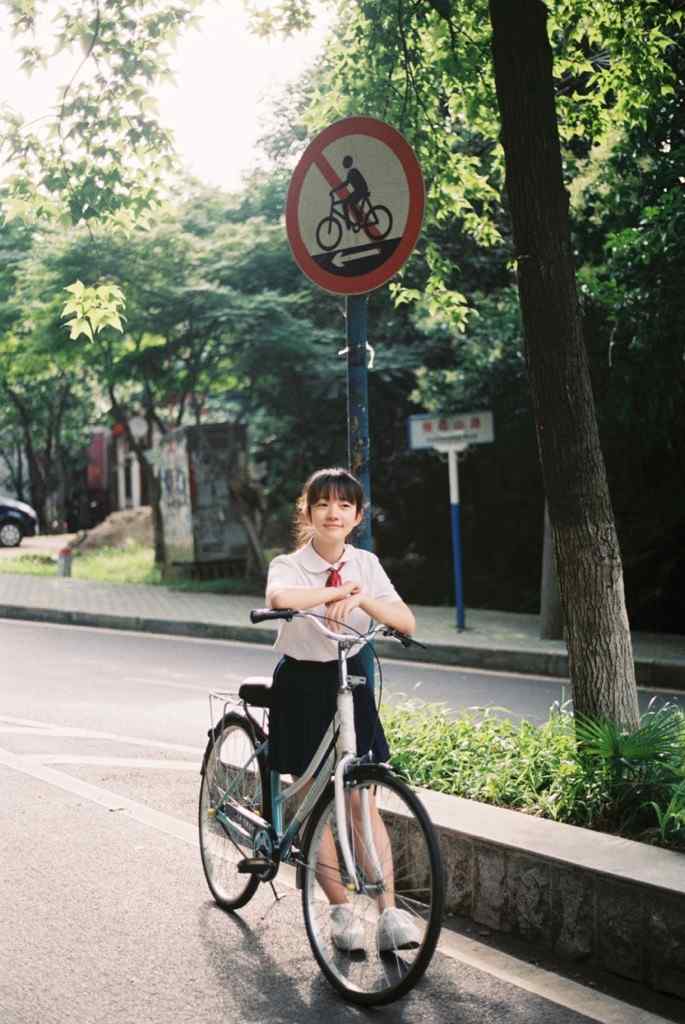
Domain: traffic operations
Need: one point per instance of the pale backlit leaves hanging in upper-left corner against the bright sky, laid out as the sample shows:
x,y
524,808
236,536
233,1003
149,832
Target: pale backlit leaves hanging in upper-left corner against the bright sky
x,y
103,151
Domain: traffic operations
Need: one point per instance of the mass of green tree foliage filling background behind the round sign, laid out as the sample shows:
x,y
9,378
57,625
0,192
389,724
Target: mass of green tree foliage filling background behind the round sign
x,y
221,323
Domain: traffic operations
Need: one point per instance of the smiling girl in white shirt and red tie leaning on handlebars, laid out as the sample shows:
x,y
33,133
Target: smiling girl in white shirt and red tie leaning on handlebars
x,y
350,587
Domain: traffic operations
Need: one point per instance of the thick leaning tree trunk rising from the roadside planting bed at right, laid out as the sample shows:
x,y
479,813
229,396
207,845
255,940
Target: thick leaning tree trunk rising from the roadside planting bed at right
x,y
585,537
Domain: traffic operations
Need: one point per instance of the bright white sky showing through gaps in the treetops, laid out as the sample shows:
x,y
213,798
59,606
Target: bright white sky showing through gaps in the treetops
x,y
225,77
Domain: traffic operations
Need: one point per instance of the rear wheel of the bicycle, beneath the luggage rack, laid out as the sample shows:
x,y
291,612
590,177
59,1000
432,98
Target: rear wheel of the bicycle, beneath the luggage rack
x,y
231,767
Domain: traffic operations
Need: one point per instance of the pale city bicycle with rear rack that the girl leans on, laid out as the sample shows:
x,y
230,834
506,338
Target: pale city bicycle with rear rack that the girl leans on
x,y
244,840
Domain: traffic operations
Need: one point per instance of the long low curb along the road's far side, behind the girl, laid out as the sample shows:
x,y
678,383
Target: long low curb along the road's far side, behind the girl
x,y
650,672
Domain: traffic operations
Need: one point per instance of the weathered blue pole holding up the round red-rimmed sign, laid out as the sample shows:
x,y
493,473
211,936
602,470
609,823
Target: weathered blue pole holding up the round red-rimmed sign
x,y
358,406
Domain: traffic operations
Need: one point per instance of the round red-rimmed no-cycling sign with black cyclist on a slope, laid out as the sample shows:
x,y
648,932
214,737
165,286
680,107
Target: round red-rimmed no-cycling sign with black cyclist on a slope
x,y
355,206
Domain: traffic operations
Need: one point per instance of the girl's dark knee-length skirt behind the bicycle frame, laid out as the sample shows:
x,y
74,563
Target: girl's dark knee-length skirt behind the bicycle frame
x,y
304,703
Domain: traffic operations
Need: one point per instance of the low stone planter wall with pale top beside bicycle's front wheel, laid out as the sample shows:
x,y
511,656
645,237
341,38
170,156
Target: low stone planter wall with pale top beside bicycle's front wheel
x,y
589,897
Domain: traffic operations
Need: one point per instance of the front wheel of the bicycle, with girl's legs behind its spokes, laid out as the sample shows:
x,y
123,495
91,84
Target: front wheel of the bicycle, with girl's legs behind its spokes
x,y
394,920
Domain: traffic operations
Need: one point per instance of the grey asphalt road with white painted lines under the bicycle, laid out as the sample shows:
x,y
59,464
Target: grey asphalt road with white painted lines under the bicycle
x,y
105,915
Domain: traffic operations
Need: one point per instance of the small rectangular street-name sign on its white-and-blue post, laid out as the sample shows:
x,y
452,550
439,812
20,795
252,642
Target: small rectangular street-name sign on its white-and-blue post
x,y
452,435
